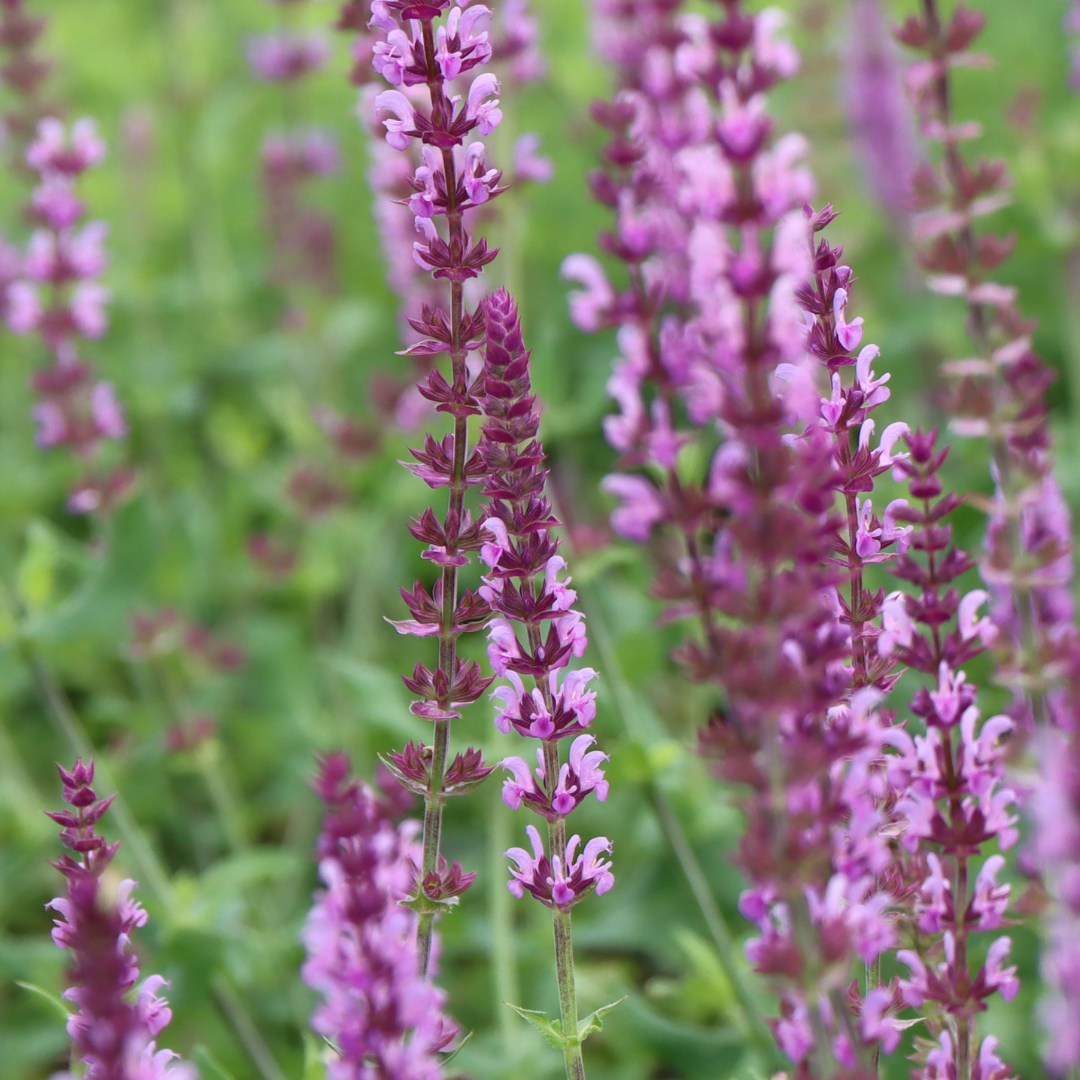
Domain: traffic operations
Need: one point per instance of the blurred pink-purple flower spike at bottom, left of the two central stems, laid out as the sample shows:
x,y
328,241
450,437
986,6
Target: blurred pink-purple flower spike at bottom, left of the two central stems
x,y
380,1014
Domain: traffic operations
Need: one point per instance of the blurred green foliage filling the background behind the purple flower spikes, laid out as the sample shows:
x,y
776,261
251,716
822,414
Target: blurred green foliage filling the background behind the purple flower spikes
x,y
220,393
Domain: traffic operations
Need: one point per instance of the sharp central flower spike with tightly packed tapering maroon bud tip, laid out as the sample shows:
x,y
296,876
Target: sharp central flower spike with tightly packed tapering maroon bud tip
x,y
534,636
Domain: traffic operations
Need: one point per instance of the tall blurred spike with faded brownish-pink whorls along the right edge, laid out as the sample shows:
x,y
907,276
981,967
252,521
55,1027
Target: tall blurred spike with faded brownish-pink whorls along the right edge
x,y
1000,394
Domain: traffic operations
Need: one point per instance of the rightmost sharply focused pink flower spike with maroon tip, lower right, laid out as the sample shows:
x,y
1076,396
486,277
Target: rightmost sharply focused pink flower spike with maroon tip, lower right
x,y
952,798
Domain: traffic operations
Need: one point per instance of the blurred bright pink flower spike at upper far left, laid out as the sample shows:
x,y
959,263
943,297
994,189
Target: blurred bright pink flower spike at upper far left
x,y
61,300
